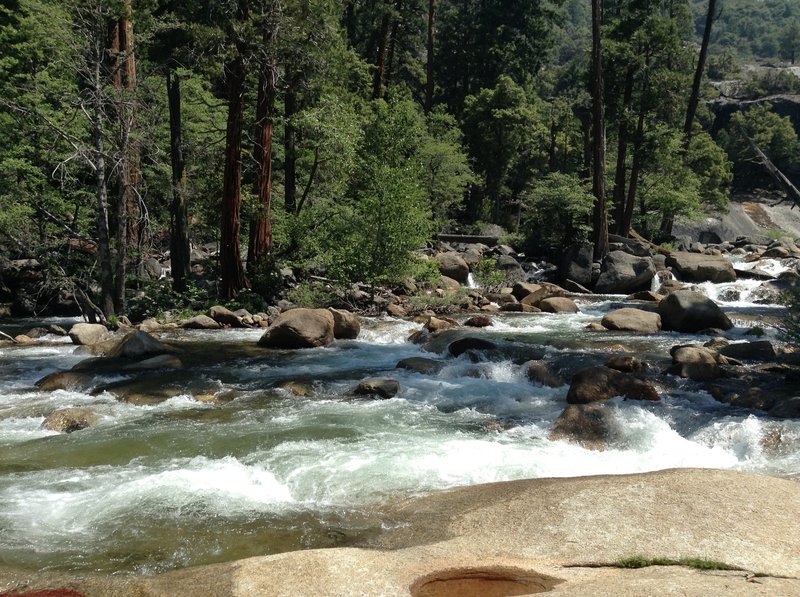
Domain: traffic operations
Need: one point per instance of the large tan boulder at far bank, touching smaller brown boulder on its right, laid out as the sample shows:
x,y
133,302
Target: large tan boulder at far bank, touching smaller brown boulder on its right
x,y
300,328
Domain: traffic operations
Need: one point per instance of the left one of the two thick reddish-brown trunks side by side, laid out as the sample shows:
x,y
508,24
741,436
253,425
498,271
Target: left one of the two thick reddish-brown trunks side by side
x,y
231,270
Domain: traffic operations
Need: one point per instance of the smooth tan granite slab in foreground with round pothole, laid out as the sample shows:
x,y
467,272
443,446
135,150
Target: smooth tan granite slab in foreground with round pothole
x,y
565,536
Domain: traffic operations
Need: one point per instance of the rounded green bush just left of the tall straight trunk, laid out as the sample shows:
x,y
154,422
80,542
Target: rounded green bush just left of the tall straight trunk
x,y
557,211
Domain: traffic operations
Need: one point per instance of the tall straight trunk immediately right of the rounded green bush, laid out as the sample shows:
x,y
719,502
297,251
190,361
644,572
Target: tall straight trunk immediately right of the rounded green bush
x,y
600,216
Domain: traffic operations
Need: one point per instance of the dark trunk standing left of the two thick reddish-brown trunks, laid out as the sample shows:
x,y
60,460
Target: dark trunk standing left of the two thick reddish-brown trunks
x,y
179,253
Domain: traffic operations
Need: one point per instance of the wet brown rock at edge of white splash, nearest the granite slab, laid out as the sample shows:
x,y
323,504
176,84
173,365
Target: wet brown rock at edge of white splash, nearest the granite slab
x,y
592,426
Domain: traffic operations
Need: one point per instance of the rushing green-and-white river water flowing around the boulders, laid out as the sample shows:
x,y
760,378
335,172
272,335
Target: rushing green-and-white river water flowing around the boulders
x,y
260,470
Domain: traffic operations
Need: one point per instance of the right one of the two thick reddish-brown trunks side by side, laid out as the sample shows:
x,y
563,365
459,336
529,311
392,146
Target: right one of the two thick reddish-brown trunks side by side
x,y
261,227
